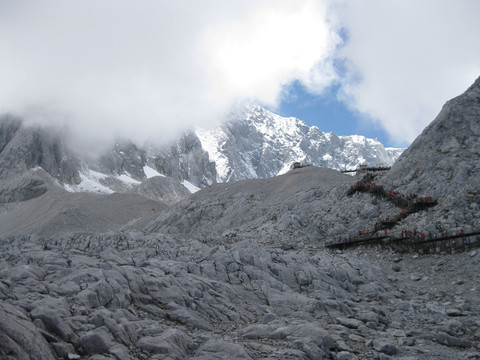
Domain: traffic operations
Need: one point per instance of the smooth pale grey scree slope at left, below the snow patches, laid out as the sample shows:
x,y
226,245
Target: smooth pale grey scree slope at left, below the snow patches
x,y
59,212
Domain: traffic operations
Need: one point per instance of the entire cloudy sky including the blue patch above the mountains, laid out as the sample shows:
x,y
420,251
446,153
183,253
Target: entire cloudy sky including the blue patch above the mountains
x,y
143,68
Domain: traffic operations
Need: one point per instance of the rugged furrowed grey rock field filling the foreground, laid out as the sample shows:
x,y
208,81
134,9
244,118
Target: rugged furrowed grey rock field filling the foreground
x,y
134,295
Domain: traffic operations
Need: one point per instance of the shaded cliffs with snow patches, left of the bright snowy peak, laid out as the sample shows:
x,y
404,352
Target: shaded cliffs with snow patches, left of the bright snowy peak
x,y
35,159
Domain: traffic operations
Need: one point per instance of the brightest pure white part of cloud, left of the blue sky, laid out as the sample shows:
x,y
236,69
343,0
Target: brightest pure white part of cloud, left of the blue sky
x,y
284,42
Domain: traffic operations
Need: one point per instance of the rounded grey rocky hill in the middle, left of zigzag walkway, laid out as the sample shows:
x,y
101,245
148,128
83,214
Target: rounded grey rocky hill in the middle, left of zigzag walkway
x,y
302,205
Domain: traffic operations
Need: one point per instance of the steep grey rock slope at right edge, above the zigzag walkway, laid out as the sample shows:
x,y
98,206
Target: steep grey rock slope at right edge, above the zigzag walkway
x,y
444,161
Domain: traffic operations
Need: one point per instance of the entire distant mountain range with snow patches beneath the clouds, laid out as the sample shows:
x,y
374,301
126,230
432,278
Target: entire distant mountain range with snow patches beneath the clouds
x,y
251,143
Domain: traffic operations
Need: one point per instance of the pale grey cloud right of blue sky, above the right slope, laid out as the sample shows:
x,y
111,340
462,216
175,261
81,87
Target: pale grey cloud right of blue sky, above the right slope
x,y
406,58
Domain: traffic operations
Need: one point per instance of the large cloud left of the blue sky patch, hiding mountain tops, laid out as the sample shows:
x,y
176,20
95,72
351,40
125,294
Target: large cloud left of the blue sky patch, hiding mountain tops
x,y
150,69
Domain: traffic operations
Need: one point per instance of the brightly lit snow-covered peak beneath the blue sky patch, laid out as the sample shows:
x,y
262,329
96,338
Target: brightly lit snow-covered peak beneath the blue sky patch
x,y
256,143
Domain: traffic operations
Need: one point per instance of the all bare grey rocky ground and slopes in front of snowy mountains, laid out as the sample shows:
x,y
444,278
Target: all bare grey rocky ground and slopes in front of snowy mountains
x,y
240,270
